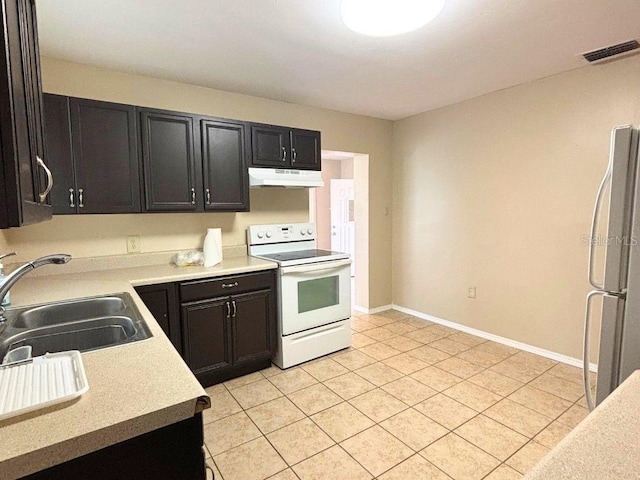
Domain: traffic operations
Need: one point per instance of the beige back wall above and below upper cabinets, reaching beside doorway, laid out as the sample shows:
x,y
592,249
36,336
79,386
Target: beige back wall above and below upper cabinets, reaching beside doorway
x,y
105,235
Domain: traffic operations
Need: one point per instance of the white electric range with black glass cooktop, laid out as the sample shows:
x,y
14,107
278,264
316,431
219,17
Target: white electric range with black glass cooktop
x,y
314,291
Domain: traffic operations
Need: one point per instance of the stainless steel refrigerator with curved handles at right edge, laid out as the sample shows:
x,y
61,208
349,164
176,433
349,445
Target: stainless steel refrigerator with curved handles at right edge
x,y
615,276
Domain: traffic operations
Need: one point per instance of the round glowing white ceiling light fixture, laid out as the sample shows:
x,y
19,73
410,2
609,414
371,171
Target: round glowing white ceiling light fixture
x,y
383,18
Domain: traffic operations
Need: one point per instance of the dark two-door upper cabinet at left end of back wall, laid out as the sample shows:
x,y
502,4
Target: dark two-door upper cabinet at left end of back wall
x,y
94,156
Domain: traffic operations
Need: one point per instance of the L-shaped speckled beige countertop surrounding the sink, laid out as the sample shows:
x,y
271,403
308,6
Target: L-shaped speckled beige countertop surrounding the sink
x,y
133,388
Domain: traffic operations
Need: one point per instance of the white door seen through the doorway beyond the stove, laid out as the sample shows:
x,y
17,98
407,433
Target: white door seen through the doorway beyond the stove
x,y
342,222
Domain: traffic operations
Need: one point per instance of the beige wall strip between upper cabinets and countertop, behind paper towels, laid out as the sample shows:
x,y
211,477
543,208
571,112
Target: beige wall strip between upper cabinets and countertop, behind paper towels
x,y
98,235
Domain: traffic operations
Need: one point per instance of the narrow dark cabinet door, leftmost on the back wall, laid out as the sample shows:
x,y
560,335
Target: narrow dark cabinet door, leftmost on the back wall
x,y
57,129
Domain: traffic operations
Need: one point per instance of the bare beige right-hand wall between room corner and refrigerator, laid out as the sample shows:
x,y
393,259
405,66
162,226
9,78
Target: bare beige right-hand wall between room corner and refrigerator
x,y
497,192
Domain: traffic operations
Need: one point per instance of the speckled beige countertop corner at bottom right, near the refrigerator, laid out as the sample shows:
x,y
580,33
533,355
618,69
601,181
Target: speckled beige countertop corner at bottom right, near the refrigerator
x,y
605,445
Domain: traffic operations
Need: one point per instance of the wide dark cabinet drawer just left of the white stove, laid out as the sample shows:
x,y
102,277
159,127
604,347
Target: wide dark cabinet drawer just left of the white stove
x,y
222,286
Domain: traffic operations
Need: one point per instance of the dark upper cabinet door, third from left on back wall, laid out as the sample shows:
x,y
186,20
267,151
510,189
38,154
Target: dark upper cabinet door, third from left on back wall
x,y
168,161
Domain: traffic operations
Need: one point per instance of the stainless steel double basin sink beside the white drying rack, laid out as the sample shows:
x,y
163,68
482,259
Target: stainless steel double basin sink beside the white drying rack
x,y
84,324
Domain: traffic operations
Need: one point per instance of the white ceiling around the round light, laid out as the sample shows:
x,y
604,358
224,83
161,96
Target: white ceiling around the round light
x,y
299,51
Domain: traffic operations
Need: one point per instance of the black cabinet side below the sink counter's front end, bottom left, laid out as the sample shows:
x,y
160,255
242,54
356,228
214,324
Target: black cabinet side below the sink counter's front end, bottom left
x,y
174,451
